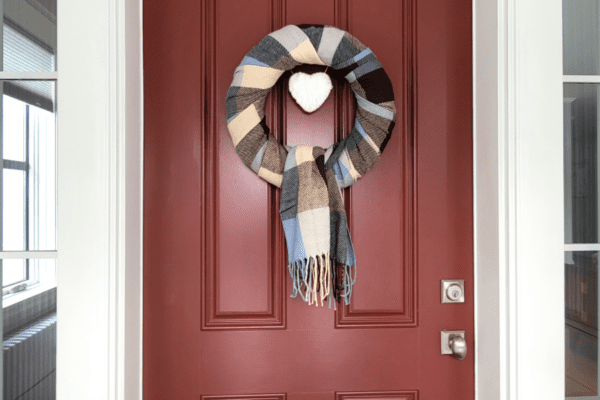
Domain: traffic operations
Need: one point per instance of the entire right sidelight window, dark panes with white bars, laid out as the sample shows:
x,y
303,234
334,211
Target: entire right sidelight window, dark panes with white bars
x,y
581,112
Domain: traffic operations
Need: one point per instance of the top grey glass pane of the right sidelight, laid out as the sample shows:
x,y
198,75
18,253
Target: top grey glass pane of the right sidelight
x,y
581,37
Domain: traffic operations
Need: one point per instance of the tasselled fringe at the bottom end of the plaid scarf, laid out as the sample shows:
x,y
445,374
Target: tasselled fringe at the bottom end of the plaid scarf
x,y
317,278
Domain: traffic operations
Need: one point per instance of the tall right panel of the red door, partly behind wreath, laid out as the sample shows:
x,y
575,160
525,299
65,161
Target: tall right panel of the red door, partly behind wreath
x,y
381,207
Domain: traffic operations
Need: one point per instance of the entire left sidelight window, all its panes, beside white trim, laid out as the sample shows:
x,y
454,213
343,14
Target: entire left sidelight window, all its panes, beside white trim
x,y
28,205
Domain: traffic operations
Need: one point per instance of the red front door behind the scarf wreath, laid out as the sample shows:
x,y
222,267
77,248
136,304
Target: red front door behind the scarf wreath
x,y
219,322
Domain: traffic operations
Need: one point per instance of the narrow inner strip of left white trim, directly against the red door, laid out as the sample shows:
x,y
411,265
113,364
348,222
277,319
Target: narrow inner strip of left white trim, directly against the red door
x,y
127,176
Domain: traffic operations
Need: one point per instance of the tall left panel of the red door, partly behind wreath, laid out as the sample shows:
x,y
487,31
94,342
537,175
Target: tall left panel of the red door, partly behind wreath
x,y
242,259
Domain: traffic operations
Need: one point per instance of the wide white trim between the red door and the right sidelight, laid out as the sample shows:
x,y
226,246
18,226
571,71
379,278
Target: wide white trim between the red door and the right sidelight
x,y
518,199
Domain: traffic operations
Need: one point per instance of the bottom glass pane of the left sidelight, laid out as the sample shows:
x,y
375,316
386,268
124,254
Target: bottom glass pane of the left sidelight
x,y
29,334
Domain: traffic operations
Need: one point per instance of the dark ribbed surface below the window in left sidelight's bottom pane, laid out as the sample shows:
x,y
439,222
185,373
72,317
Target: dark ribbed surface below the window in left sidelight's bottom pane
x,y
30,361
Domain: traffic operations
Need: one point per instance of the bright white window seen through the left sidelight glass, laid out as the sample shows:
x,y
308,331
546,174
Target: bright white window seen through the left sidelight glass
x,y
29,198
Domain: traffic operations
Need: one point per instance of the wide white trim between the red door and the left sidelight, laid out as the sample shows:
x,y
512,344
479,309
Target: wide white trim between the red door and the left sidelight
x,y
100,148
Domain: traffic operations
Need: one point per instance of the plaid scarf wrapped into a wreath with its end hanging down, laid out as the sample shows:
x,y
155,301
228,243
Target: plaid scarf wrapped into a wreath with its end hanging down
x,y
321,257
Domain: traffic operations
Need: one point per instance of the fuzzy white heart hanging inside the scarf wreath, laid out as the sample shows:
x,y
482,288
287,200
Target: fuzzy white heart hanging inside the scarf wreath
x,y
310,91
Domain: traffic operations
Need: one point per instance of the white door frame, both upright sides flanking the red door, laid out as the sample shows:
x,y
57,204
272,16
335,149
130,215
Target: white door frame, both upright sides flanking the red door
x,y
518,211
